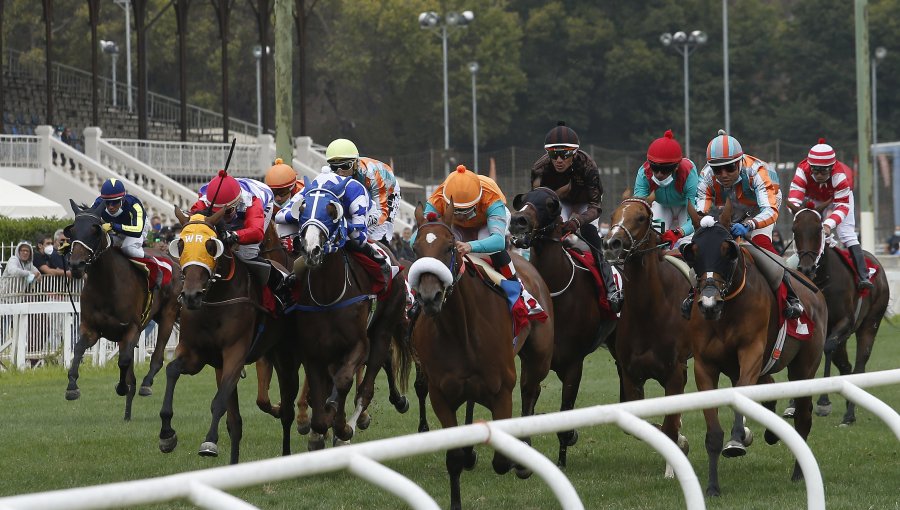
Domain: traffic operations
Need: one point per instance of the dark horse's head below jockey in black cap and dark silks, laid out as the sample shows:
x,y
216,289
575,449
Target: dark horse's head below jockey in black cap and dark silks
x,y
536,216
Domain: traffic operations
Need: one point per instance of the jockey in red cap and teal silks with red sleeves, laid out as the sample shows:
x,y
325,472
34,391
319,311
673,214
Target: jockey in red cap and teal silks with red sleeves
x,y
674,179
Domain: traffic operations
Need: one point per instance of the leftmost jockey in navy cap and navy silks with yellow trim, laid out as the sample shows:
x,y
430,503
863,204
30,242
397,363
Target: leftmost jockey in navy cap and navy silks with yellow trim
x,y
124,218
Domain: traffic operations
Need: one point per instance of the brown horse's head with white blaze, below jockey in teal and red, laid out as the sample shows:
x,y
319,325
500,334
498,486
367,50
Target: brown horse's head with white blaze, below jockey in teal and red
x,y
631,229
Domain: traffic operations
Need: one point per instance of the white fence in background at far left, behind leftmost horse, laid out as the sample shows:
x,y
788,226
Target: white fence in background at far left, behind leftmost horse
x,y
38,325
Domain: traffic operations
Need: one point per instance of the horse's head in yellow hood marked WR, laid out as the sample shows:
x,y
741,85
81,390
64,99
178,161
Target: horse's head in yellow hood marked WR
x,y
197,250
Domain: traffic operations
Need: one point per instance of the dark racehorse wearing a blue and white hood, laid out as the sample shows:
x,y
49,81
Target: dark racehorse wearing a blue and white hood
x,y
345,325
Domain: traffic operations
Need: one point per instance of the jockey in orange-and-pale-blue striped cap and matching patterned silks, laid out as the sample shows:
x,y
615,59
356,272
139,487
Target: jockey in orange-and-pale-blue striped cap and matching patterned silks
x,y
729,173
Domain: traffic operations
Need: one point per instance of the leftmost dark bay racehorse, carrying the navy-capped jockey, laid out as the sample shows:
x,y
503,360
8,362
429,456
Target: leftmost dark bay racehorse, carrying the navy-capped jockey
x,y
114,303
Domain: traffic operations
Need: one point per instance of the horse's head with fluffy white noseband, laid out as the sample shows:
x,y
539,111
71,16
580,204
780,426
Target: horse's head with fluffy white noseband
x,y
433,274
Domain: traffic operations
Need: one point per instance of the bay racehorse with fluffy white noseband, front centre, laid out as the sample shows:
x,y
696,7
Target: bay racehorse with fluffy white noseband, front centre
x,y
465,347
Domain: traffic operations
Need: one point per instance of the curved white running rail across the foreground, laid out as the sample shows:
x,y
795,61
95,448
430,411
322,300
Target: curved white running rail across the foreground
x,y
206,488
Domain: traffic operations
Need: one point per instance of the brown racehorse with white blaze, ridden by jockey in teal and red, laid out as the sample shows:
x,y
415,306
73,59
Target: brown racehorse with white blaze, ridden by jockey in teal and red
x,y
651,339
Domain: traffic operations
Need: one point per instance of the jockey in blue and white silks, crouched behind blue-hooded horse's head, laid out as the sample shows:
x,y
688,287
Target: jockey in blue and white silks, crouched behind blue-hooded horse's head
x,y
355,203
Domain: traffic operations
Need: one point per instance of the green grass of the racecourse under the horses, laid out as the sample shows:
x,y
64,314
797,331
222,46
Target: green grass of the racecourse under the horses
x,y
48,443
